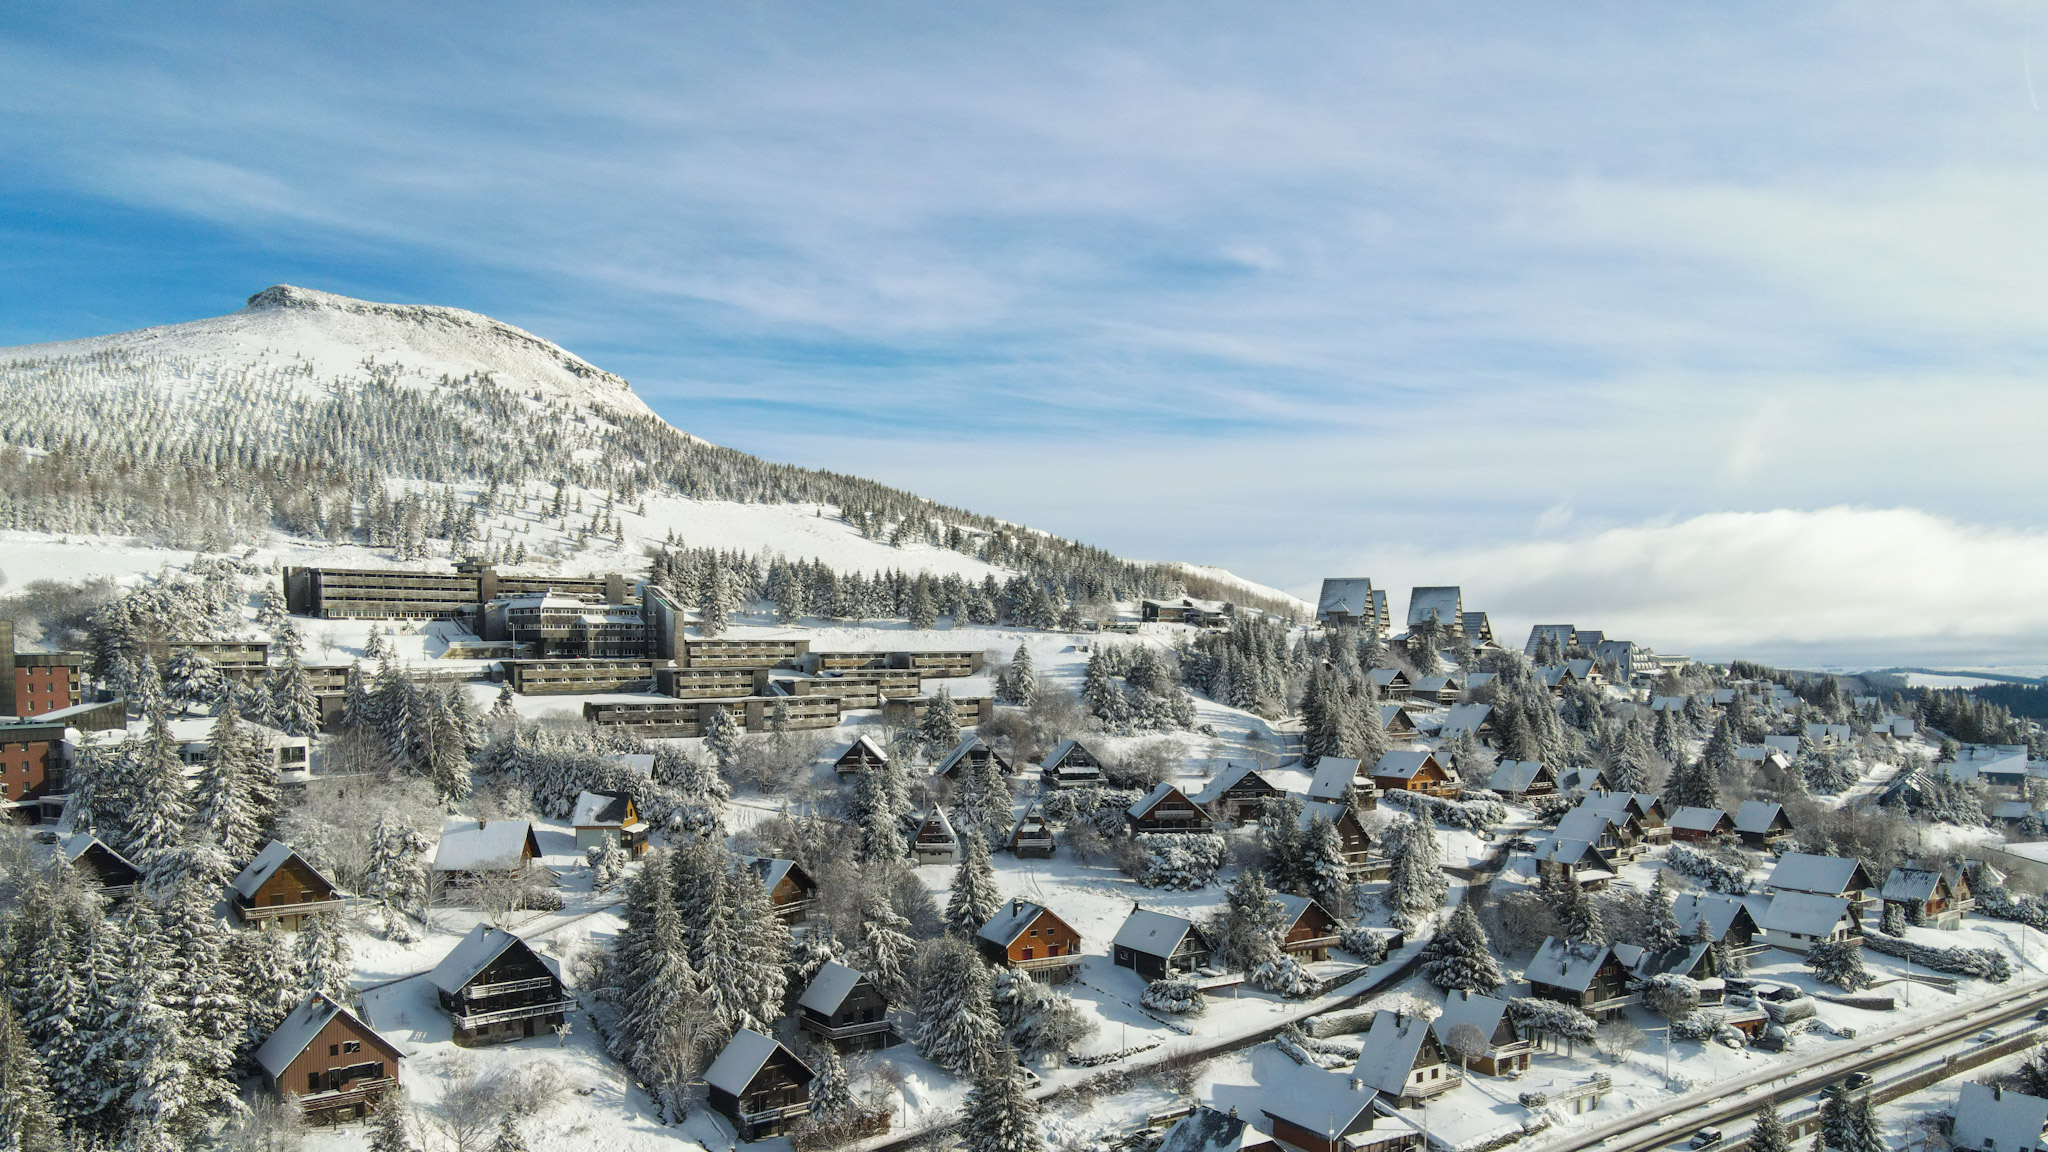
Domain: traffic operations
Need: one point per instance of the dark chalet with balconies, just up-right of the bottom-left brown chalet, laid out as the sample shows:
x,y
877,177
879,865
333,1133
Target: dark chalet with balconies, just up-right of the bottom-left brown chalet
x,y
497,989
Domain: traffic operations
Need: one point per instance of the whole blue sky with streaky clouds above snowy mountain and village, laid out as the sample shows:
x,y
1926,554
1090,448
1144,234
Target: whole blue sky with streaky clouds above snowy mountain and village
x,y
1502,294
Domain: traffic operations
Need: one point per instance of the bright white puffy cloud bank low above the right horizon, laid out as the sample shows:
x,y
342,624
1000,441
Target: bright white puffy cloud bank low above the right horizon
x,y
1834,585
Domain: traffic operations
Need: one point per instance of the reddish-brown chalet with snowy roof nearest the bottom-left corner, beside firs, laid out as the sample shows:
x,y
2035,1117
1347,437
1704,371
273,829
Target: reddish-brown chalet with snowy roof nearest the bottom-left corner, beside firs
x,y
329,1063
